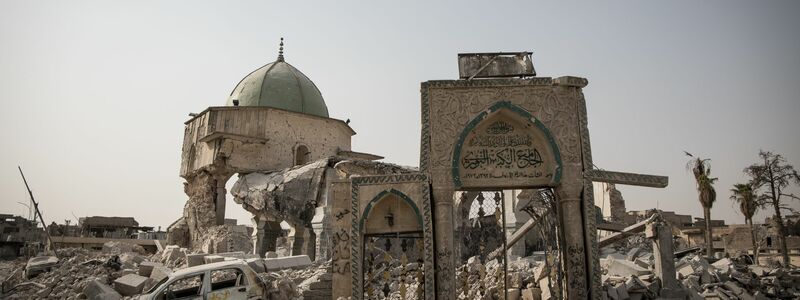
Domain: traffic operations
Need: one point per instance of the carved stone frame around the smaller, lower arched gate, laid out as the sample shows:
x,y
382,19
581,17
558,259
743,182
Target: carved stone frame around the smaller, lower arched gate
x,y
391,184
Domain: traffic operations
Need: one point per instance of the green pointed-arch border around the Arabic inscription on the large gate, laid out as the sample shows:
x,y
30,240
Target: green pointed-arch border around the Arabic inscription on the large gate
x,y
518,112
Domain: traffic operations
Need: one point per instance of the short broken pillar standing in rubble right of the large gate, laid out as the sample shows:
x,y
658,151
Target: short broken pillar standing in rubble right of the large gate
x,y
661,234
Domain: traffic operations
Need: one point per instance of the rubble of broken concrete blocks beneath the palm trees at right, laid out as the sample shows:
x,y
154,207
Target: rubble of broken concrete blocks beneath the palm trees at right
x,y
629,274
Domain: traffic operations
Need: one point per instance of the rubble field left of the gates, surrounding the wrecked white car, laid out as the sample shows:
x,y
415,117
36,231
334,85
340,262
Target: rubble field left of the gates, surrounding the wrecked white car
x,y
86,274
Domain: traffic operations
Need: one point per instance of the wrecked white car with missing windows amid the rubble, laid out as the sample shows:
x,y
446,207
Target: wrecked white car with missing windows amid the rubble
x,y
222,280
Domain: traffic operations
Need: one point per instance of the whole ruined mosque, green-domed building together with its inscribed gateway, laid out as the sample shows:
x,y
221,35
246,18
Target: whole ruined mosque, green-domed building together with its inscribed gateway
x,y
503,151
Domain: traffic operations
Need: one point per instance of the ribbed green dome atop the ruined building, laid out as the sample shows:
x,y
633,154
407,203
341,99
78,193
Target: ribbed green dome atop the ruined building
x,y
280,85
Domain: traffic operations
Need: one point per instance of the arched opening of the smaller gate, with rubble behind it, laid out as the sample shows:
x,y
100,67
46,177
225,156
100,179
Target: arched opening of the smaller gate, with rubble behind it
x,y
393,248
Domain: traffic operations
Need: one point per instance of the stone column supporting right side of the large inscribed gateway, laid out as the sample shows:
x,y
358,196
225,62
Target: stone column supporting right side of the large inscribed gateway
x,y
571,226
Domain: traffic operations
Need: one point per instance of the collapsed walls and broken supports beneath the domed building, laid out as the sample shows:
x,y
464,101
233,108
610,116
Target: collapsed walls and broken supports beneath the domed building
x,y
296,195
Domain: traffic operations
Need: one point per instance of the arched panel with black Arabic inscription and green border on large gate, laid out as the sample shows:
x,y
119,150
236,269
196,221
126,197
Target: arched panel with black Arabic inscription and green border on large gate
x,y
505,147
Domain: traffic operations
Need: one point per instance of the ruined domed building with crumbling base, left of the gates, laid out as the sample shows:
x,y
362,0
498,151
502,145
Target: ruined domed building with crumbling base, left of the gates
x,y
275,134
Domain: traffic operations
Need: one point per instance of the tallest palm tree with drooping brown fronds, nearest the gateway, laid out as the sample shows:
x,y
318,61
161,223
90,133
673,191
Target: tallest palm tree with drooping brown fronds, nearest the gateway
x,y
701,168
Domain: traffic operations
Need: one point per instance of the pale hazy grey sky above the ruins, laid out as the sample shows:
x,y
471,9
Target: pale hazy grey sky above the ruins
x,y
94,94
